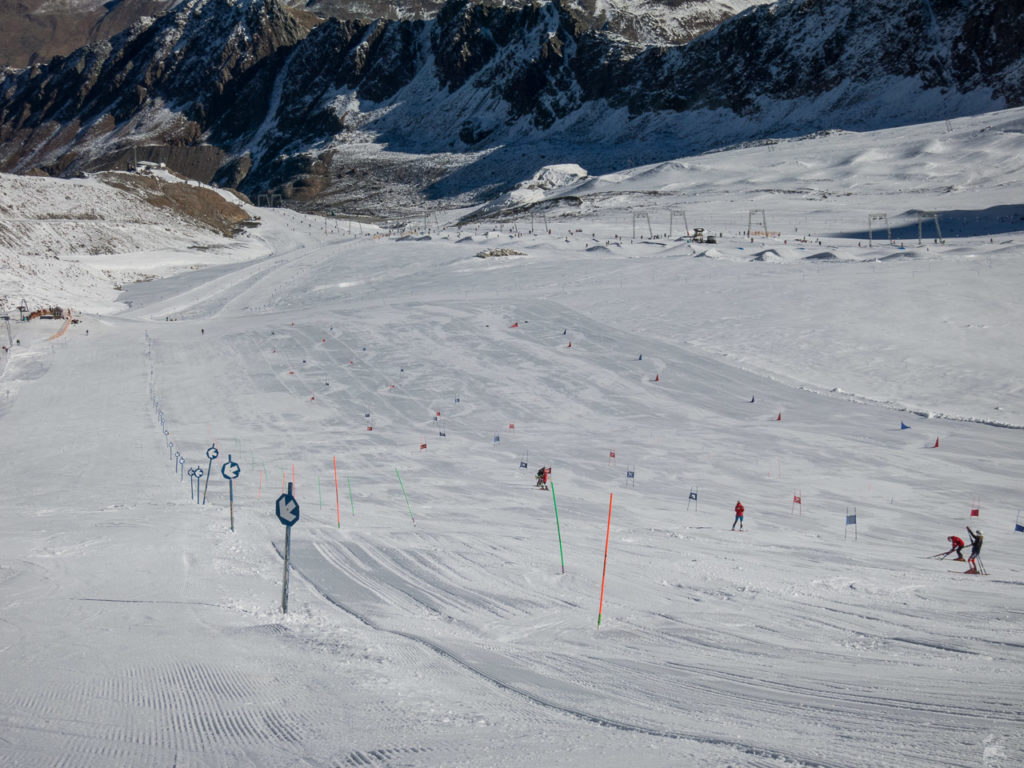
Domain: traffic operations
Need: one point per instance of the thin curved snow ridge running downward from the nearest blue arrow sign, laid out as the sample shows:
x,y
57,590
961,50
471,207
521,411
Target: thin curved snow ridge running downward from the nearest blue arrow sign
x,y
752,750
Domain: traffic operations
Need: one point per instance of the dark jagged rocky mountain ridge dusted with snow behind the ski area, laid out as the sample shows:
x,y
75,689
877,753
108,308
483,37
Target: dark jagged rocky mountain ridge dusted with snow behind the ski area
x,y
307,109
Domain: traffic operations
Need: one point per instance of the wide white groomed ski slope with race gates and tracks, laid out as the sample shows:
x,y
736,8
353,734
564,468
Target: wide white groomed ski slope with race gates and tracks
x,y
431,623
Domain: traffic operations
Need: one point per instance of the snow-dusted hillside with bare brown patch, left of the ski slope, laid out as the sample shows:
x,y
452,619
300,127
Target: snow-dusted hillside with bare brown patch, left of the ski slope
x,y
78,242
